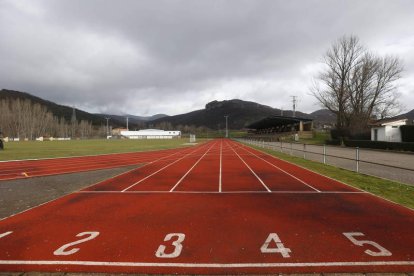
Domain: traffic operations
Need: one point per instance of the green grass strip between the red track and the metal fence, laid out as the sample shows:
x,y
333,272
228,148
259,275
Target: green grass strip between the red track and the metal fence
x,y
397,192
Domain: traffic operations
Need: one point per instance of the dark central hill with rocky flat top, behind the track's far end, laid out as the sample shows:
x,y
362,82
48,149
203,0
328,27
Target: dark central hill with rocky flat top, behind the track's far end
x,y
241,113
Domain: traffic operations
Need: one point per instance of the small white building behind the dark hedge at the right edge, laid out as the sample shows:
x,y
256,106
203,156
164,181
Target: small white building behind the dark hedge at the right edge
x,y
389,130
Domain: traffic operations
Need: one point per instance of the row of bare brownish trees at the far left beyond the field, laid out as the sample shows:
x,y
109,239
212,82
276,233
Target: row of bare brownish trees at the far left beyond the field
x,y
27,120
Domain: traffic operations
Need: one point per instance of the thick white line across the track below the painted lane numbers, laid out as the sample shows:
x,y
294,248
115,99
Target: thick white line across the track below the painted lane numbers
x,y
208,265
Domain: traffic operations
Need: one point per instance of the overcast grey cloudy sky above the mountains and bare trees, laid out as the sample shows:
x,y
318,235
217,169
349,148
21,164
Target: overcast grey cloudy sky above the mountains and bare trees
x,y
149,57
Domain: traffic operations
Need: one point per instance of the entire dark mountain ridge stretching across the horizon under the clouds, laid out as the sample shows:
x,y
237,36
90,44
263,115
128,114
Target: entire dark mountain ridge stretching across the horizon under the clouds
x,y
240,113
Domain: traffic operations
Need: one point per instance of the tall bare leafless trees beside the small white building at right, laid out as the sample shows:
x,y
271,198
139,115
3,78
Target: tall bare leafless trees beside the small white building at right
x,y
357,85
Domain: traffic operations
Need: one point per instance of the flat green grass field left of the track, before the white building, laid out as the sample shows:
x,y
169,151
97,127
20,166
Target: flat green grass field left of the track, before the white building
x,y
52,149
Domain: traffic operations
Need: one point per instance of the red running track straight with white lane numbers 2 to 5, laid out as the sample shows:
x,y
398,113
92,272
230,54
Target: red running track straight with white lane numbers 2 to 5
x,y
217,208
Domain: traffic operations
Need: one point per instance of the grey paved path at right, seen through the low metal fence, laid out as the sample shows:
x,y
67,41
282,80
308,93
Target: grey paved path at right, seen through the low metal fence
x,y
385,164
